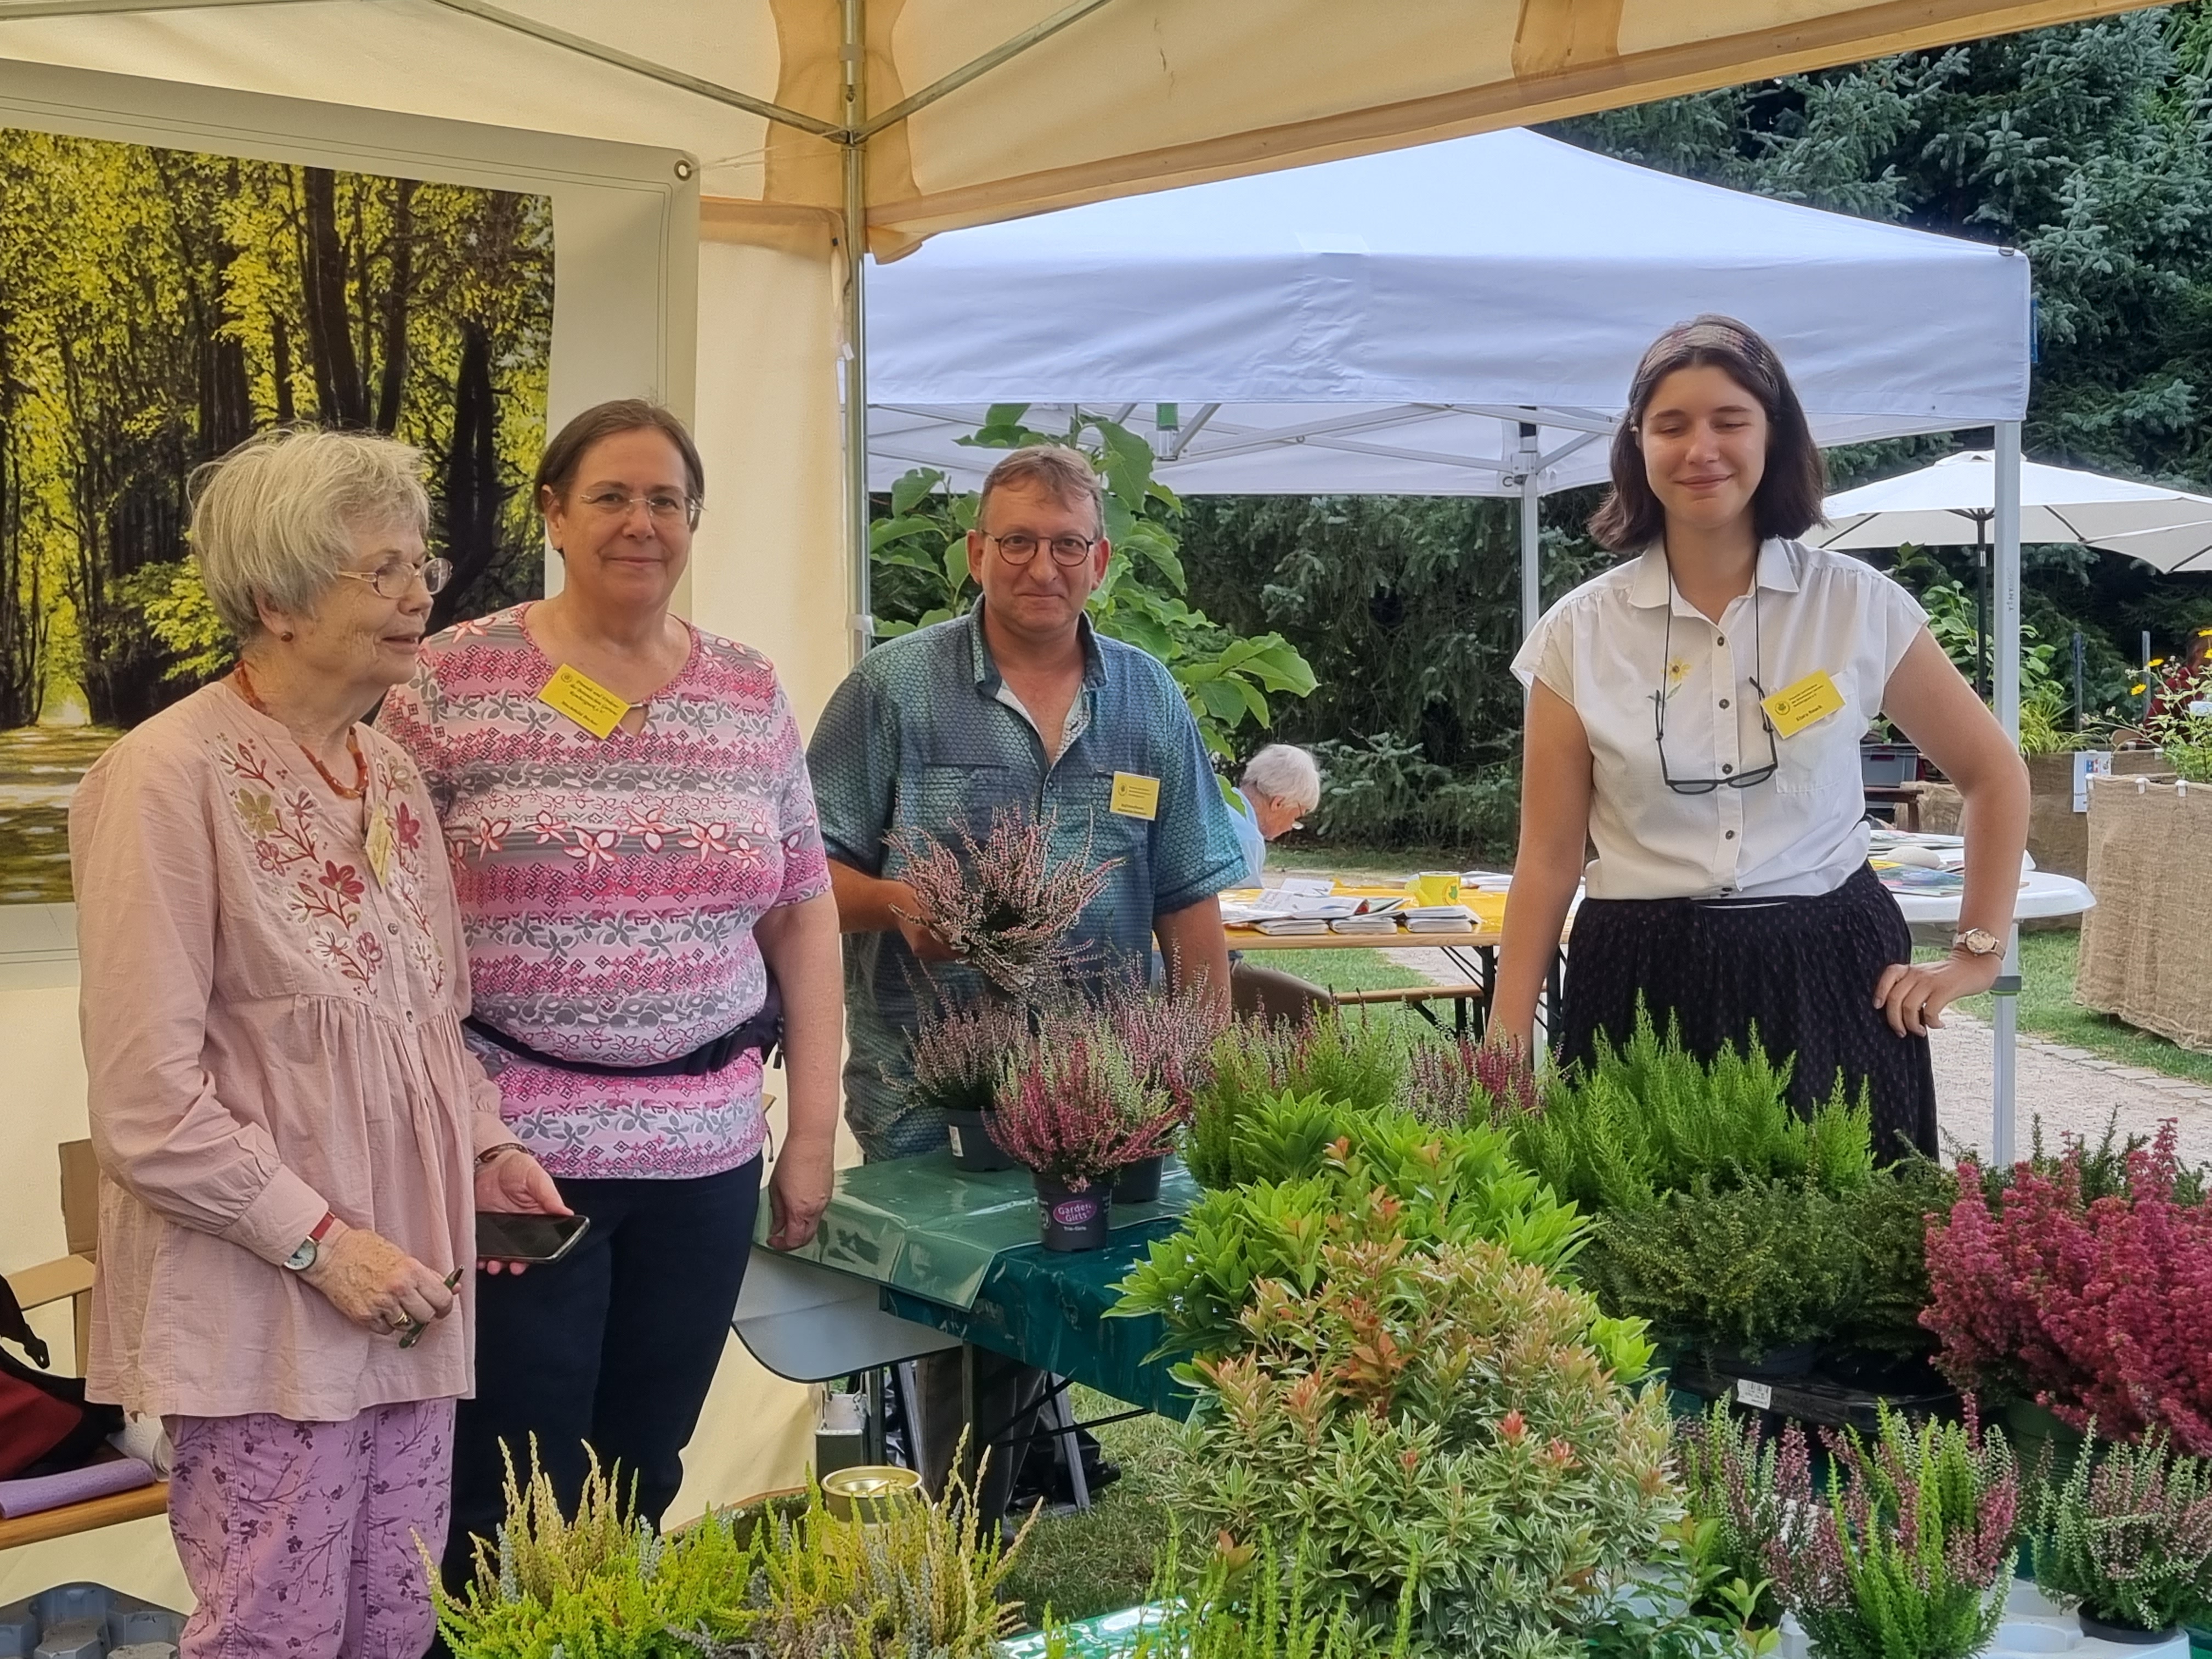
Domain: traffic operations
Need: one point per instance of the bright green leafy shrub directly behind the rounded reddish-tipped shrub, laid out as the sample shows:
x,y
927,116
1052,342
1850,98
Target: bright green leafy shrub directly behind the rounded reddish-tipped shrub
x,y
1331,1176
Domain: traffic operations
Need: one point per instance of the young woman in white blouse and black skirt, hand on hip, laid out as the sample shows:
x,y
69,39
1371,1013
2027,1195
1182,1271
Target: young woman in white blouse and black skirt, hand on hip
x,y
1695,716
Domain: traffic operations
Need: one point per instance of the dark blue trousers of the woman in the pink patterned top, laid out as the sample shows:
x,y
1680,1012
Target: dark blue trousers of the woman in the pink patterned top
x,y
614,1346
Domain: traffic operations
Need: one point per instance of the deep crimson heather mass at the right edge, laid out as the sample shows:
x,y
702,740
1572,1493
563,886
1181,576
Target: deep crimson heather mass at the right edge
x,y
2091,1308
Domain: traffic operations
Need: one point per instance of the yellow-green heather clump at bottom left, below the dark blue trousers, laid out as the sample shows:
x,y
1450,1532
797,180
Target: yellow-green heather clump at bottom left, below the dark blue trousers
x,y
910,1578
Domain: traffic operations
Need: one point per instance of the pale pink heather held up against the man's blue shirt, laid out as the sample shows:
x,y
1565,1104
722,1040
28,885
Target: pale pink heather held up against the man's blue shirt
x,y
1005,906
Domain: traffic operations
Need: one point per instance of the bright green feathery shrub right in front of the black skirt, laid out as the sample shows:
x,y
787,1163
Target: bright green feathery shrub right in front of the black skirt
x,y
1651,1118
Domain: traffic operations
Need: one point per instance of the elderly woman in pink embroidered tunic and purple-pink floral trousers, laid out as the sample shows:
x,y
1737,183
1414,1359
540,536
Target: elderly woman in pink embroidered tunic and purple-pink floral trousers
x,y
293,1138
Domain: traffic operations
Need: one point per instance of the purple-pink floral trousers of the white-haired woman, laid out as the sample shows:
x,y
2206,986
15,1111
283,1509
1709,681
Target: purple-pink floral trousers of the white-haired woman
x,y
300,1538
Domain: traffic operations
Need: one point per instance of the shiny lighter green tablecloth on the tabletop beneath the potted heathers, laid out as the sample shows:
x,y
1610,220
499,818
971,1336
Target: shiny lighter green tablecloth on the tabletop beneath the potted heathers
x,y
921,1227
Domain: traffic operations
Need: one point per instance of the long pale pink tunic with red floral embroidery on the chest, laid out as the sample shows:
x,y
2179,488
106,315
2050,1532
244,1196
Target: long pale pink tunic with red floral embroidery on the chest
x,y
271,1032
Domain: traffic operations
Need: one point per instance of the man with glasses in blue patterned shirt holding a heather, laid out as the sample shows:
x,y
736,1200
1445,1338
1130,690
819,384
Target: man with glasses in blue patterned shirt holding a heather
x,y
1014,705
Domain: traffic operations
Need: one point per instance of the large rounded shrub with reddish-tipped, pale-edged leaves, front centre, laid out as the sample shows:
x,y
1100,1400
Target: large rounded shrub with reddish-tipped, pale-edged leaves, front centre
x,y
1441,1428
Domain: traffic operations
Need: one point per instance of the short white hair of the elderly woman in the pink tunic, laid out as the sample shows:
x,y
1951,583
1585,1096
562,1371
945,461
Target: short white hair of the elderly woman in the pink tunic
x,y
273,521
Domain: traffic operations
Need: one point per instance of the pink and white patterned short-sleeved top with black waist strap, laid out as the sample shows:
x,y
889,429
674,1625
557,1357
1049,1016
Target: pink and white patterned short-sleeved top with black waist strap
x,y
609,888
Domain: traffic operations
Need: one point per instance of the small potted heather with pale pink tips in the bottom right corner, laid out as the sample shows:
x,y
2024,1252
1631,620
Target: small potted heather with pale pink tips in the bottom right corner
x,y
2127,1538
